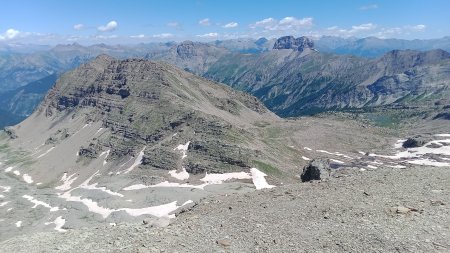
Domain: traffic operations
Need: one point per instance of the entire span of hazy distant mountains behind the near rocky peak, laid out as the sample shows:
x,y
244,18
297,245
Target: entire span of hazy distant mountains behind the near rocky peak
x,y
327,73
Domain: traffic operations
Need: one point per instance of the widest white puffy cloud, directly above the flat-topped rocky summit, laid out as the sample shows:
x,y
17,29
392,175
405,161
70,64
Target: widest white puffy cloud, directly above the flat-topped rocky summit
x,y
285,24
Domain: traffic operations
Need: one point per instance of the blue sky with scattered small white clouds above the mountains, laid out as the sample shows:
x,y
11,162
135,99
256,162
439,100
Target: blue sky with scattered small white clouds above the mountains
x,y
120,21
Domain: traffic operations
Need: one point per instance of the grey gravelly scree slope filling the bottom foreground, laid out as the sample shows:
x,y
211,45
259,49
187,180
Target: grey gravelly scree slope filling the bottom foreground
x,y
380,210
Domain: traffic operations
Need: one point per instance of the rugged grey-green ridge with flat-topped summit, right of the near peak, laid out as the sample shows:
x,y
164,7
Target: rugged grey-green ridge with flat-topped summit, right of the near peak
x,y
294,82
